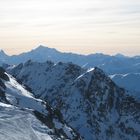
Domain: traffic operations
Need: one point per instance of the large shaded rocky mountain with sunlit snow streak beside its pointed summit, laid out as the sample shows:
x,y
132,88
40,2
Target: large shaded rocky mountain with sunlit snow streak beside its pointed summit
x,y
89,101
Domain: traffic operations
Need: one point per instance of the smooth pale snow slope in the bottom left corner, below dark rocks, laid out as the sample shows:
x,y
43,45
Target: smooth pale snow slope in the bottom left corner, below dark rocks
x,y
16,124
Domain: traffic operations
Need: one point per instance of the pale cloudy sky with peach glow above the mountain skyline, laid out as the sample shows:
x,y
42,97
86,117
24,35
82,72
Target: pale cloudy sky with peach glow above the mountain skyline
x,y
80,26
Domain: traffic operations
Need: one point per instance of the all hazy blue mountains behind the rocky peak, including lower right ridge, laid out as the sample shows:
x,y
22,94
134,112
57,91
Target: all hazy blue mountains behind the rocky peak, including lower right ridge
x,y
124,70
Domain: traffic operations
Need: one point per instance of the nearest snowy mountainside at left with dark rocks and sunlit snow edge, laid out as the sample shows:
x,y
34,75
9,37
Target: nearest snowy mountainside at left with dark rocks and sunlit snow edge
x,y
23,117
